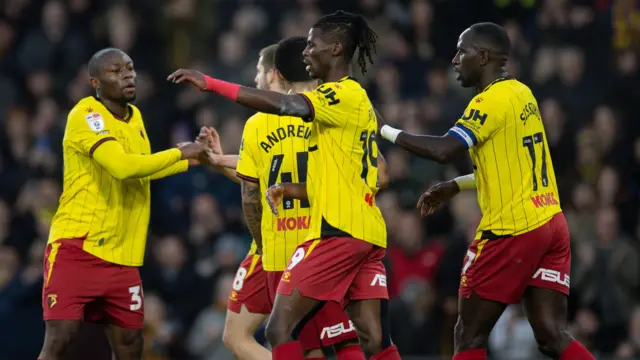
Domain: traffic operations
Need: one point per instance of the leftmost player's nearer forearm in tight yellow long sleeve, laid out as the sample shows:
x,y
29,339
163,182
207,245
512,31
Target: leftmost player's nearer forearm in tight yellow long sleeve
x,y
112,157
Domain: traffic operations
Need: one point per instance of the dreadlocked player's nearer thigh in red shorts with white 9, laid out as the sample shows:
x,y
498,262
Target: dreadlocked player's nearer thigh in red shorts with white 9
x,y
324,269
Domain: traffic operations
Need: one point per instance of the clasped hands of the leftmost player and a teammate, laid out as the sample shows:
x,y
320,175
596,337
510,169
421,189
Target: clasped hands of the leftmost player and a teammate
x,y
206,150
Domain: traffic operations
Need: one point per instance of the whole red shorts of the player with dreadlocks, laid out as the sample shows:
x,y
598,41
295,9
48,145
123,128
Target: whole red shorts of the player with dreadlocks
x,y
336,269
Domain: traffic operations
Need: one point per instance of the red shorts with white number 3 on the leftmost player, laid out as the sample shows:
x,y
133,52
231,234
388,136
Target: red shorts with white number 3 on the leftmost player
x,y
80,286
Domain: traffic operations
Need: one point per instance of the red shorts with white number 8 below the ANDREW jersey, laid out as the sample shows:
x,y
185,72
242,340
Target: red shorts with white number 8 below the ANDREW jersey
x,y
249,287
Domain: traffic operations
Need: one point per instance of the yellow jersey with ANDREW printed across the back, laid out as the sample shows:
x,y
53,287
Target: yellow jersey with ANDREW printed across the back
x,y
275,149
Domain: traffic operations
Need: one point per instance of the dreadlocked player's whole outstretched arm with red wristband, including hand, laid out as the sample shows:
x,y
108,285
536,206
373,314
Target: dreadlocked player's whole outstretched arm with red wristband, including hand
x,y
269,102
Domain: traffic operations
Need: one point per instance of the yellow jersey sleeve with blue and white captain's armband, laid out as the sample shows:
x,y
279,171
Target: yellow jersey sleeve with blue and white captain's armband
x,y
482,118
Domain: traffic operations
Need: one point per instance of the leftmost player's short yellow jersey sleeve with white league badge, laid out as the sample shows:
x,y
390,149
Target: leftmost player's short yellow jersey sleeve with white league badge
x,y
87,131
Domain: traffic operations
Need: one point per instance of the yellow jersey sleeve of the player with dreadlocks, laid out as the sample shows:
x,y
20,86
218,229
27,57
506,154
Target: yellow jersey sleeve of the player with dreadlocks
x,y
329,104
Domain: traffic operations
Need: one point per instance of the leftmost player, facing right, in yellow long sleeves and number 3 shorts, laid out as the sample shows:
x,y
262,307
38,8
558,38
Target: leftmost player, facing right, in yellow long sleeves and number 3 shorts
x,y
99,232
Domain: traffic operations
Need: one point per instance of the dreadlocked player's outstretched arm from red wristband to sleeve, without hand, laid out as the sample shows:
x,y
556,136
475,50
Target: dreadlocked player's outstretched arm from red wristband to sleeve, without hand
x,y
269,102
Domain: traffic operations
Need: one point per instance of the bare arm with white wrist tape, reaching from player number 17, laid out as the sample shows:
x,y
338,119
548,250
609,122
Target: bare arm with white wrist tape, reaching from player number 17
x,y
440,149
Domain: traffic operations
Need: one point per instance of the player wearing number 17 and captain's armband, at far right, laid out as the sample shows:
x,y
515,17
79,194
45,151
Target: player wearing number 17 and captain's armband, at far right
x,y
521,251
